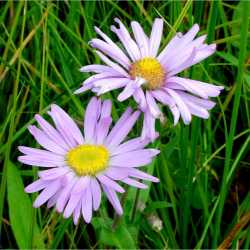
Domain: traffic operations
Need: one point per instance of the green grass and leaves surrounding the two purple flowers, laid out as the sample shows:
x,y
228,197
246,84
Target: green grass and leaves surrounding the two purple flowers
x,y
203,198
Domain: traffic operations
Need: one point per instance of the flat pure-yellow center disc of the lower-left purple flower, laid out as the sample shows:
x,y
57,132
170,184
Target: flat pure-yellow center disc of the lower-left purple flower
x,y
88,159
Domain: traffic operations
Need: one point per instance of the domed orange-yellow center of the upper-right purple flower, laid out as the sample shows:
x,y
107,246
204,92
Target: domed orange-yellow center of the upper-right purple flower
x,y
149,69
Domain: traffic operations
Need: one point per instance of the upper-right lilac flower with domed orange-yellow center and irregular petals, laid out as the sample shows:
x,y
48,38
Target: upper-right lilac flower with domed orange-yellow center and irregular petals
x,y
149,75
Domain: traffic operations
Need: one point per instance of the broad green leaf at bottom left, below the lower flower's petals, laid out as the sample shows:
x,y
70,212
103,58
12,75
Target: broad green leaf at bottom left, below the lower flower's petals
x,y
20,212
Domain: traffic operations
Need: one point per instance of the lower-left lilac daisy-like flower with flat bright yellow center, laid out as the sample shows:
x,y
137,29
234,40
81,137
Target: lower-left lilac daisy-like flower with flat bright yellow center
x,y
79,168
